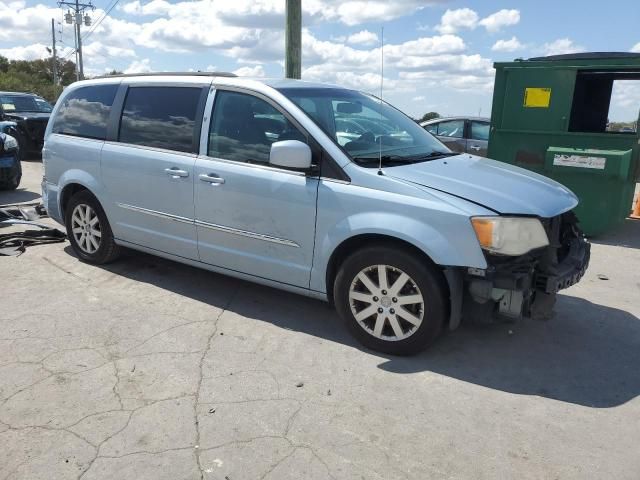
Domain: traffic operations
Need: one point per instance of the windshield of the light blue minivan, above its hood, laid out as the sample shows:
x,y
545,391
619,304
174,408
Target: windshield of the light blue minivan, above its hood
x,y
365,127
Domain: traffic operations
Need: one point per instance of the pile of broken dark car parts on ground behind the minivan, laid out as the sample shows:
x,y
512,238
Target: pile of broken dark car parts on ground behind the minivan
x,y
14,243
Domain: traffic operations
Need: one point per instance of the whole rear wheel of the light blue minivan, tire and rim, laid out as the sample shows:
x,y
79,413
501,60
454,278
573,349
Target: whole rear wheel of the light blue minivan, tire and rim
x,y
89,231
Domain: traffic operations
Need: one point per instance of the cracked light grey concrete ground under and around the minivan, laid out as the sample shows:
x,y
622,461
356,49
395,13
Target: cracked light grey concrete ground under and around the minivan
x,y
148,369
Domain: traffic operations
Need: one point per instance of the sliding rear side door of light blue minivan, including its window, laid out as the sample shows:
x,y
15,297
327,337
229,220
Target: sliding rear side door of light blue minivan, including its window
x,y
148,169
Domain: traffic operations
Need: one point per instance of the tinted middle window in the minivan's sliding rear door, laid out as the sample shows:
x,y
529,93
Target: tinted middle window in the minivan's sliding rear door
x,y
161,117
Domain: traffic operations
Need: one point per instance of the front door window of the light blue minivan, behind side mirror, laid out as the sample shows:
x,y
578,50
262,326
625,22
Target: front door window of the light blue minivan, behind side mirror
x,y
243,128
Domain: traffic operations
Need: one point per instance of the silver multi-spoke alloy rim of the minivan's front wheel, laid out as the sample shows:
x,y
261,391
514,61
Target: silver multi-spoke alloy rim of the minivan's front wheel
x,y
386,302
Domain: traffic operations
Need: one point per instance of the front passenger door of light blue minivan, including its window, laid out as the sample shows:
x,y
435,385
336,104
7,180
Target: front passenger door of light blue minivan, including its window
x,y
252,217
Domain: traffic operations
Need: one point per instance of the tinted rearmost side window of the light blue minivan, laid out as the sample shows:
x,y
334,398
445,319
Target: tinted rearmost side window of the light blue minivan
x,y
85,112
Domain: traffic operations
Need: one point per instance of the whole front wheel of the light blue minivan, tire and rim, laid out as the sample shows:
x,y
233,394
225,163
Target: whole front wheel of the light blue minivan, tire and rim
x,y
392,301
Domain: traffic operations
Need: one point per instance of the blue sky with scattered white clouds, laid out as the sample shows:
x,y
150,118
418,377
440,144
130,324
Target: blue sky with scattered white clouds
x,y
438,53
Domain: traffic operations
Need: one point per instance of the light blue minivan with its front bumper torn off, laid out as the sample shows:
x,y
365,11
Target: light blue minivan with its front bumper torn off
x,y
268,182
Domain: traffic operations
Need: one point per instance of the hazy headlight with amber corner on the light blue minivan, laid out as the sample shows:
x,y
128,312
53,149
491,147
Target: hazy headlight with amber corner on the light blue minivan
x,y
509,235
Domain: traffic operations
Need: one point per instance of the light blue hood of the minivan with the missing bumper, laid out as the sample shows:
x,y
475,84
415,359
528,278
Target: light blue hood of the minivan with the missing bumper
x,y
501,187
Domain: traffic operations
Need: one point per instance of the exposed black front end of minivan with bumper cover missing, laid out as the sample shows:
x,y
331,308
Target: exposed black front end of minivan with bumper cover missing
x,y
526,286
